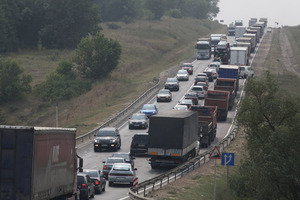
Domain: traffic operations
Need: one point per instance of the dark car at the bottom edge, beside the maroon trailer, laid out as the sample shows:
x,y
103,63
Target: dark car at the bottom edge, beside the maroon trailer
x,y
85,186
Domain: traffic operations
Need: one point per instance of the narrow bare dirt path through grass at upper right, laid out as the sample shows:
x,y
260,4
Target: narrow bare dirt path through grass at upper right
x,y
287,53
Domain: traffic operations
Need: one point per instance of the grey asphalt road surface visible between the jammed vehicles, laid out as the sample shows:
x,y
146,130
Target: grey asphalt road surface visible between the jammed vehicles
x,y
93,160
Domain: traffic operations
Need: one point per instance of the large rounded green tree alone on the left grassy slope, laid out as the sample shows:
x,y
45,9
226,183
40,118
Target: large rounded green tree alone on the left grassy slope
x,y
97,56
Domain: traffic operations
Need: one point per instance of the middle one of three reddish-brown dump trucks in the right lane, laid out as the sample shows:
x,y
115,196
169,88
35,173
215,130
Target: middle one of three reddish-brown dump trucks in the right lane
x,y
220,99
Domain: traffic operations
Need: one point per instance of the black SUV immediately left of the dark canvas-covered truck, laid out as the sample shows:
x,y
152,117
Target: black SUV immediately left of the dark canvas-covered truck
x,y
139,144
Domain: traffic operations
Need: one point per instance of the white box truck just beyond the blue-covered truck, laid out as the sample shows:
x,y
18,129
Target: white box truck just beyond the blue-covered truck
x,y
239,56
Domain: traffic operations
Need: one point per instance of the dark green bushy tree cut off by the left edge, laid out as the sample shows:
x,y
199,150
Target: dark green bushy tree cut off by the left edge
x,y
12,86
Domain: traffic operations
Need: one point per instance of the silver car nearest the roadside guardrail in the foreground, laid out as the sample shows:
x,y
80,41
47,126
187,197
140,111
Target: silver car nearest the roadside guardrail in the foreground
x,y
121,173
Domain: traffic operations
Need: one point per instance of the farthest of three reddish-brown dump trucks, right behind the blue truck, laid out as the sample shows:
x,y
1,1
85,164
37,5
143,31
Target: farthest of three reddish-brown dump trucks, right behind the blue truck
x,y
227,84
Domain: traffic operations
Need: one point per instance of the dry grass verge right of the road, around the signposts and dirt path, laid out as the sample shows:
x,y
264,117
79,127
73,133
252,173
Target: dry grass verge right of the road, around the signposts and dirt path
x,y
201,185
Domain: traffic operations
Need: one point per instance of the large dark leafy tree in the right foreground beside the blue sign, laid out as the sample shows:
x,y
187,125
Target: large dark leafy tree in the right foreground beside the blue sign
x,y
271,169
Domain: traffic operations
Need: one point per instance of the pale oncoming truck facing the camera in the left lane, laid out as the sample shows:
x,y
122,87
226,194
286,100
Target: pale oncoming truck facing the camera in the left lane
x,y
203,47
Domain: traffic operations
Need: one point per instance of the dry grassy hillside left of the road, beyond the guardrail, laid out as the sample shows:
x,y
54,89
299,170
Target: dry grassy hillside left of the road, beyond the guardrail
x,y
149,47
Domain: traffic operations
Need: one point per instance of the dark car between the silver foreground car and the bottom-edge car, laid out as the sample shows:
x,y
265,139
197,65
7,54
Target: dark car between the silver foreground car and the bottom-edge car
x,y
97,178
